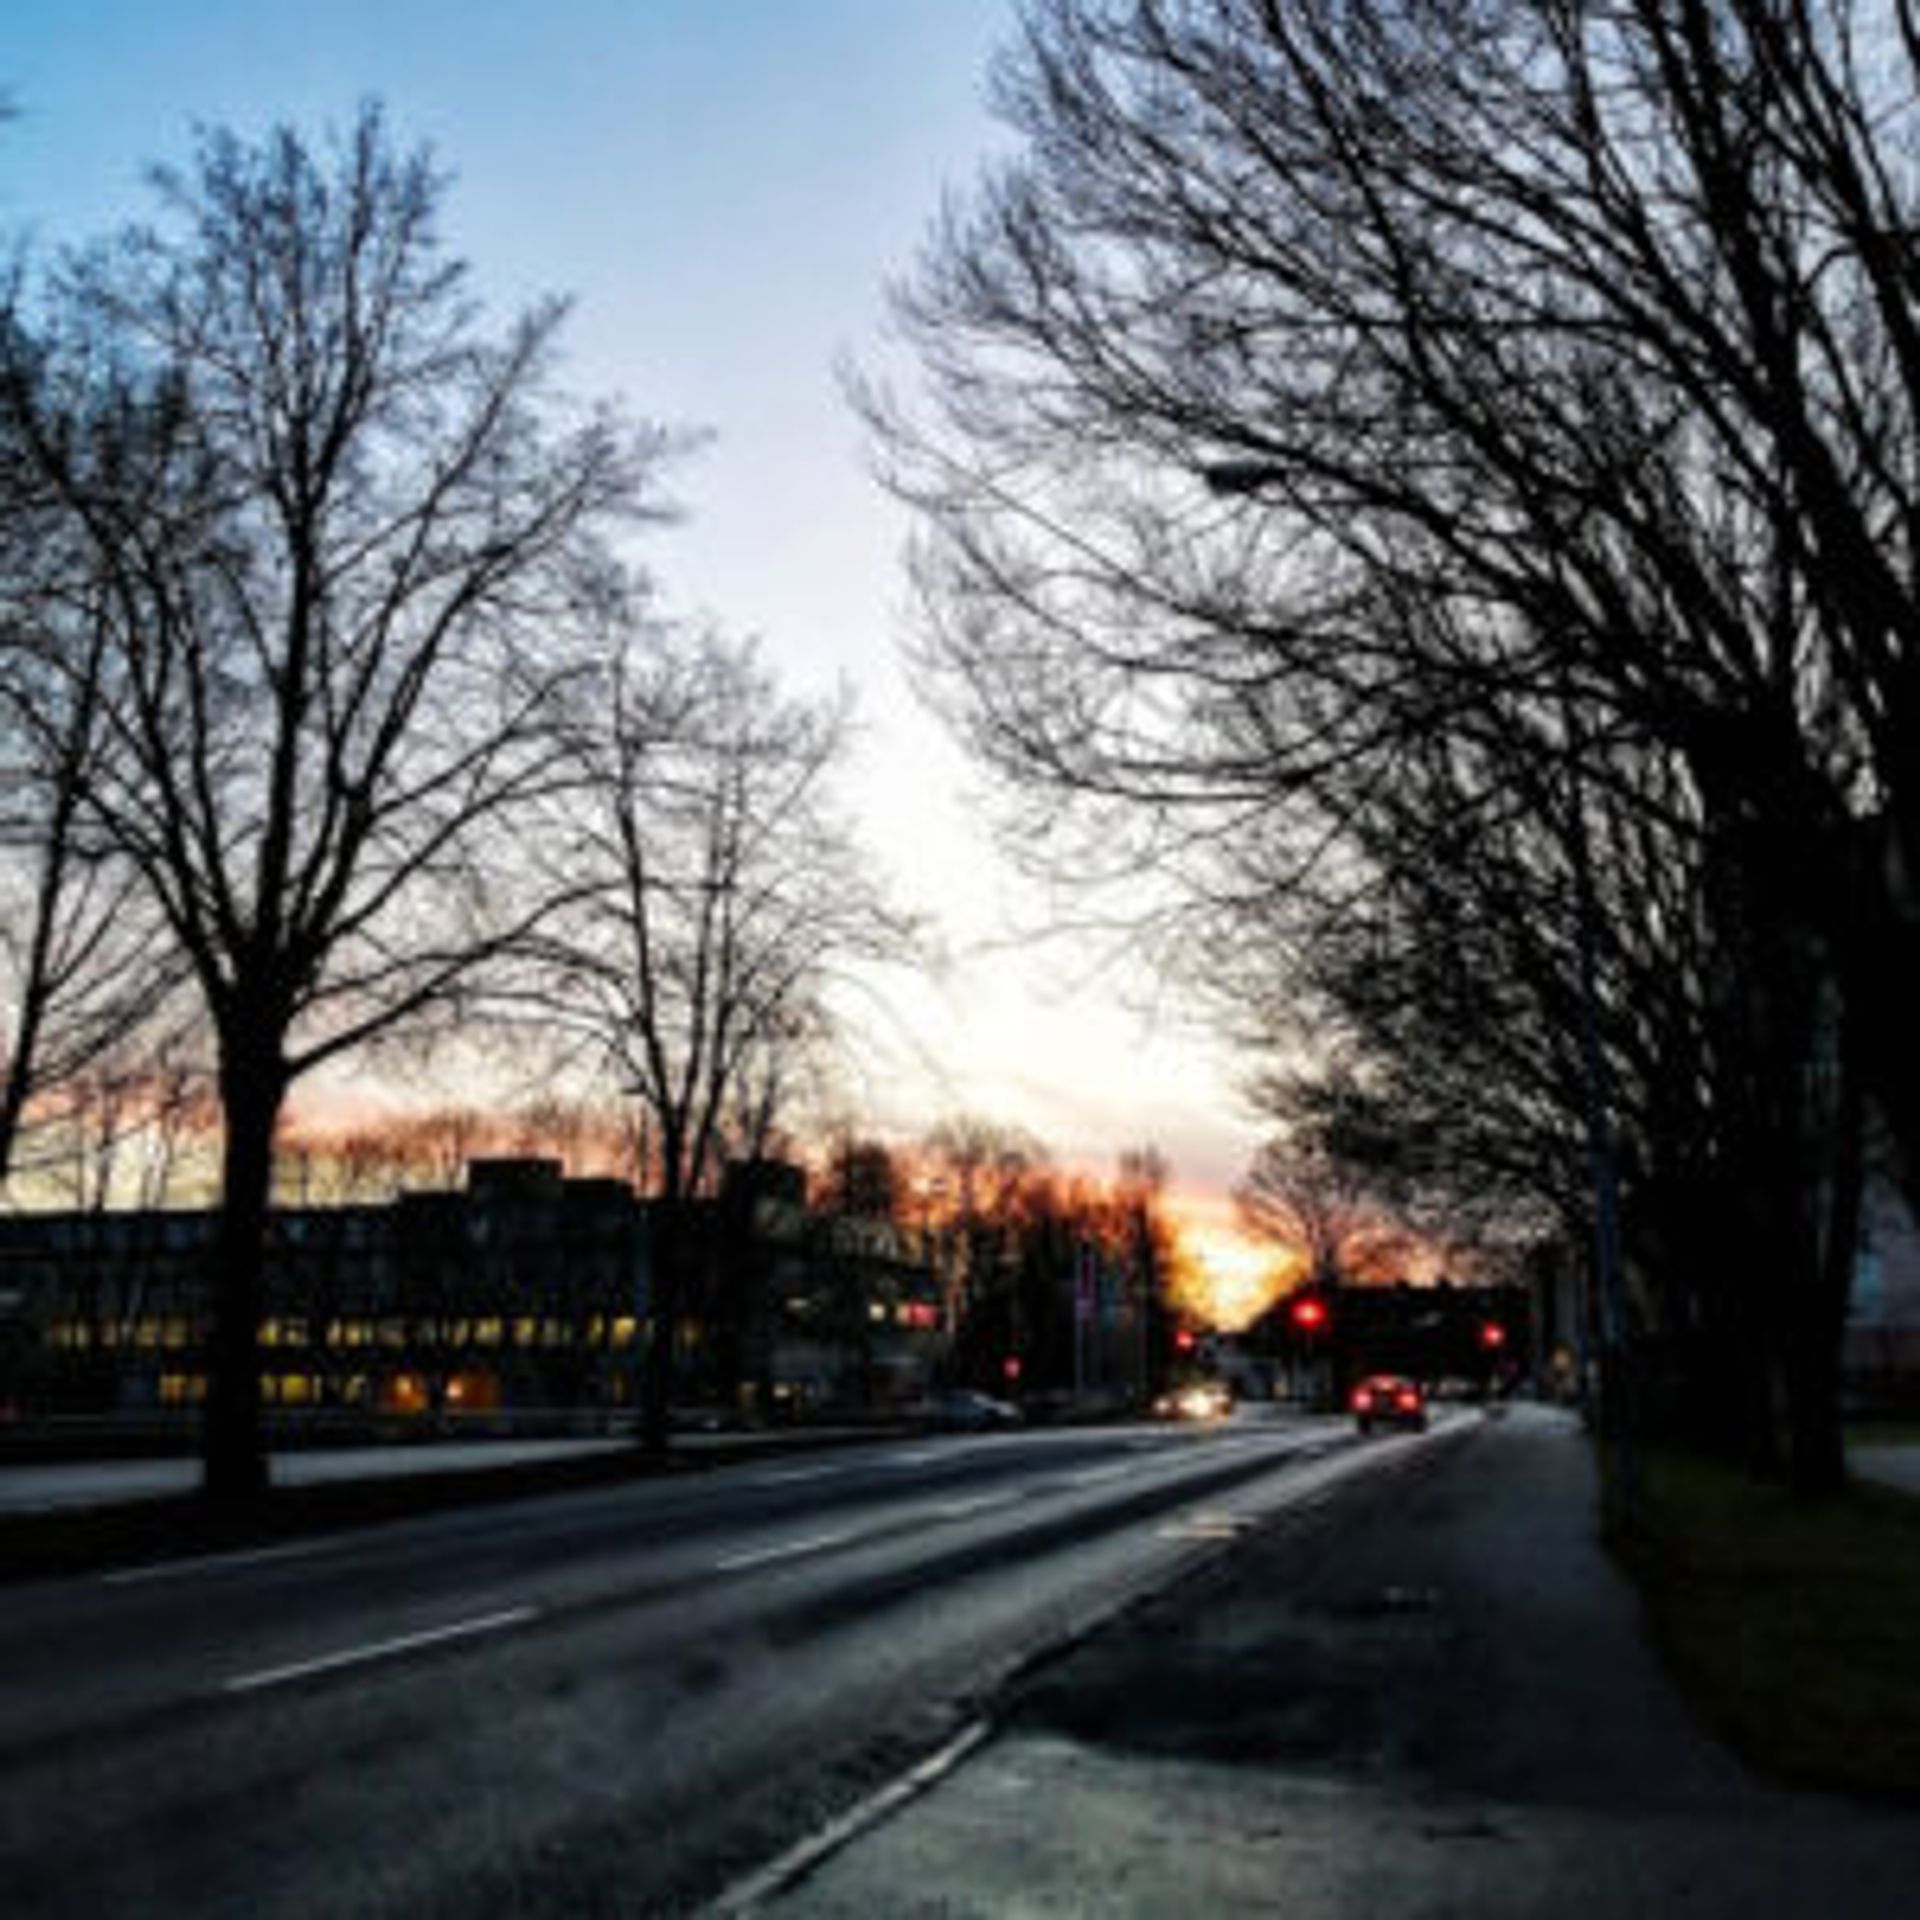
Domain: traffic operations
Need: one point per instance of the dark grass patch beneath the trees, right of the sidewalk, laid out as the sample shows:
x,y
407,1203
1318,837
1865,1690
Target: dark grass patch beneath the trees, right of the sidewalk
x,y
1794,1629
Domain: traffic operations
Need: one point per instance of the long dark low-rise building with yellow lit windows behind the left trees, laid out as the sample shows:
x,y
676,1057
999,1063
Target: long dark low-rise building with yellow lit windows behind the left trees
x,y
521,1295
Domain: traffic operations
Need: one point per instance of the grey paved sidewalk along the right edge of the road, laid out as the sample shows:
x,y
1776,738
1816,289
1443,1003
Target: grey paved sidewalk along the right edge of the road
x,y
1437,1706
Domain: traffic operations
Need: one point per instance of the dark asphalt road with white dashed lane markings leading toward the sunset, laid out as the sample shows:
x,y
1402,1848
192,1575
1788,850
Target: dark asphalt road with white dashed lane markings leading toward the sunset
x,y
604,1702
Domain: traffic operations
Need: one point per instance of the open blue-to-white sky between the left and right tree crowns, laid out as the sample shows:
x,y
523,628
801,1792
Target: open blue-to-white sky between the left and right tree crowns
x,y
725,191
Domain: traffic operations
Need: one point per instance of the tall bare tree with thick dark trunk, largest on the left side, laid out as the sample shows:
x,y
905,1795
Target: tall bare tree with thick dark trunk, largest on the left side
x,y
348,548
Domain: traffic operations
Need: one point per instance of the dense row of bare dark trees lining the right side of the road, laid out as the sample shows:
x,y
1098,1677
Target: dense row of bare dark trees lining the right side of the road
x,y
1441,481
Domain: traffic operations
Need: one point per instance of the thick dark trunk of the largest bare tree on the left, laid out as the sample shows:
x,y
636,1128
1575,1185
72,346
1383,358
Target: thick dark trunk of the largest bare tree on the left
x,y
233,1443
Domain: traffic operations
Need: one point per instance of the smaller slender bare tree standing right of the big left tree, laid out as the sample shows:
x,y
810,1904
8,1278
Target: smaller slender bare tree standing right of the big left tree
x,y
719,898
